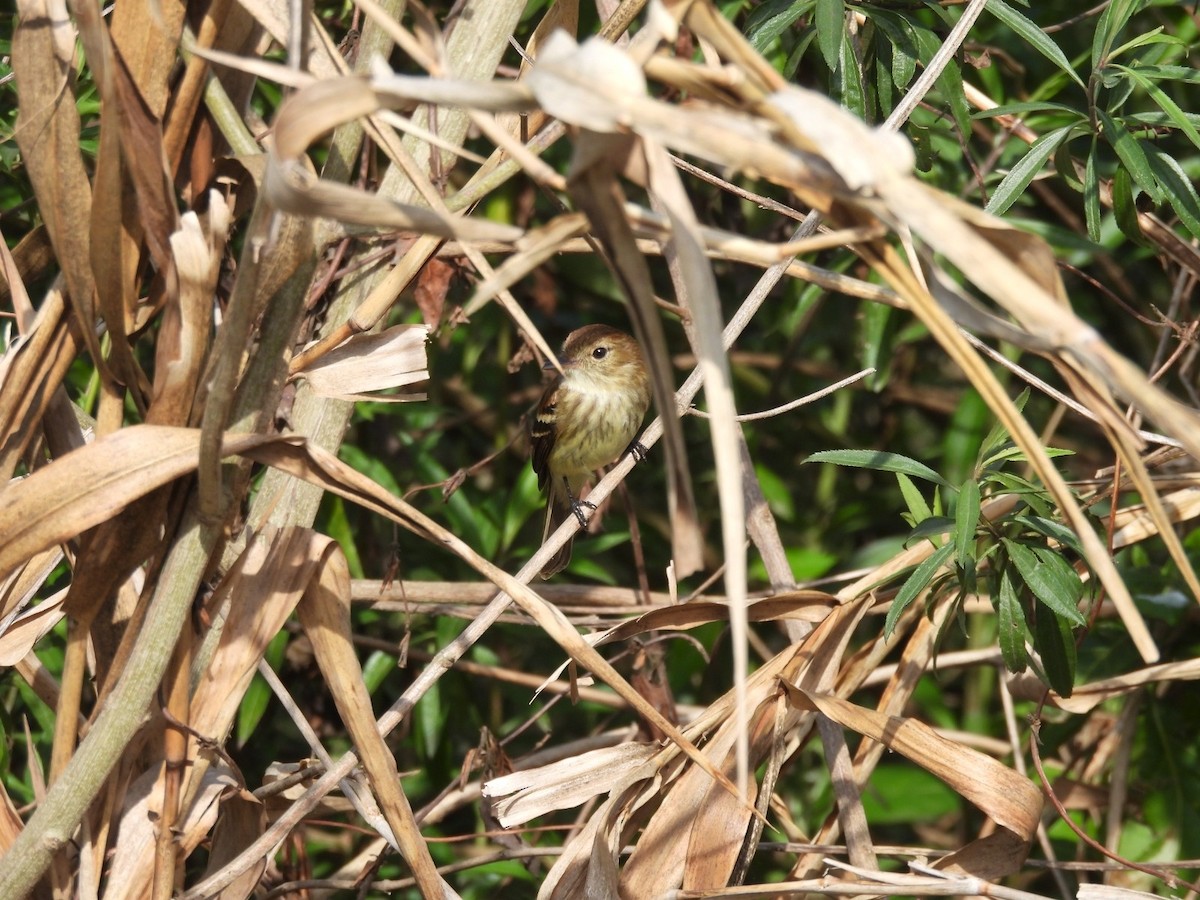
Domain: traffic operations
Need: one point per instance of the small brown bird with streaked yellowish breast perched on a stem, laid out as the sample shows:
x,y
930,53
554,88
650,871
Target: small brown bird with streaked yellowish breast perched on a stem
x,y
586,419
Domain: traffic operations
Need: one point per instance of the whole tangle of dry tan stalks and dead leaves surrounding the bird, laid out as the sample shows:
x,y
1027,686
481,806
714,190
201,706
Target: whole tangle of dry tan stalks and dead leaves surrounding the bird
x,y
183,513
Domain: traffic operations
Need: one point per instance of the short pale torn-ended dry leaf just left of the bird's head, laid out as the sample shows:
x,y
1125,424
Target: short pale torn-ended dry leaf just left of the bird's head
x,y
373,363
